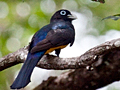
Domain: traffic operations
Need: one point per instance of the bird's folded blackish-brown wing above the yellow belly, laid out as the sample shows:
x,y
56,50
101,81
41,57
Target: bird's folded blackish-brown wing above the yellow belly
x,y
54,38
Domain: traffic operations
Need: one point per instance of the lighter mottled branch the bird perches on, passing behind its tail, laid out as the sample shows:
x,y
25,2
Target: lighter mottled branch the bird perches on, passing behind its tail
x,y
53,62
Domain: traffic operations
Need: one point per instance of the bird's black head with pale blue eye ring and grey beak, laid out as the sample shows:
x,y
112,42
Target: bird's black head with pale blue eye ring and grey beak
x,y
62,15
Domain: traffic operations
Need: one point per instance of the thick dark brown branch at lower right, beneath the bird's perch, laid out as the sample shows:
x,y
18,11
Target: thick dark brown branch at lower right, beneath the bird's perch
x,y
87,79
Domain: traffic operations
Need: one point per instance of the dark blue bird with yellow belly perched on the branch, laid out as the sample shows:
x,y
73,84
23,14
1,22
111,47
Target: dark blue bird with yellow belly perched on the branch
x,y
56,35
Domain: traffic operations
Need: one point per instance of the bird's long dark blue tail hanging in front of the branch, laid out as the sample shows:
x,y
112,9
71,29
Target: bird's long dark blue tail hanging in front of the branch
x,y
24,75
